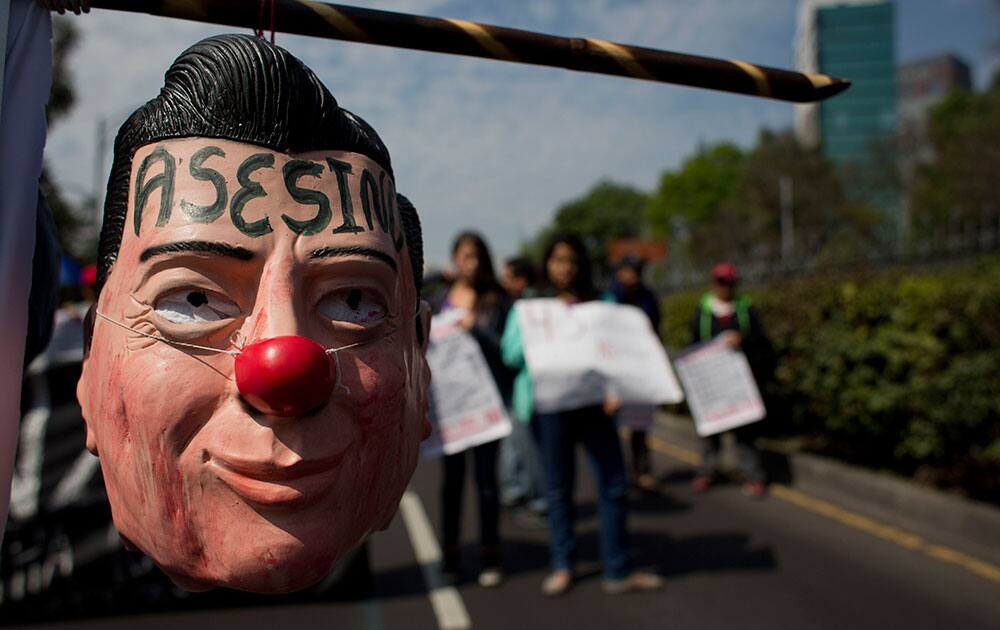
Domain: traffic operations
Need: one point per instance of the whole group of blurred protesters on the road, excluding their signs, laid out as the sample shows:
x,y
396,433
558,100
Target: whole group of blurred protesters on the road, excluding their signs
x,y
533,470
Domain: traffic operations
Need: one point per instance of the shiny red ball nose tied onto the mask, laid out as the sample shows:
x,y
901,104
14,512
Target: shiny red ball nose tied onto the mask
x,y
284,376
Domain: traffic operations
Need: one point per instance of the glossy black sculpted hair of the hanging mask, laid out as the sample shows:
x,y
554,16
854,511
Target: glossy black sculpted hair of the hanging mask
x,y
239,88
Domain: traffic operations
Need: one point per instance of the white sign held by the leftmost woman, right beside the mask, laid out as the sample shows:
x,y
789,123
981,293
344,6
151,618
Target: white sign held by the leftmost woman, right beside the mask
x,y
466,407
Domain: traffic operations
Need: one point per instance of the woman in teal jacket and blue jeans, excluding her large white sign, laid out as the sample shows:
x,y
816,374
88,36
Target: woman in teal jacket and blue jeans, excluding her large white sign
x,y
566,276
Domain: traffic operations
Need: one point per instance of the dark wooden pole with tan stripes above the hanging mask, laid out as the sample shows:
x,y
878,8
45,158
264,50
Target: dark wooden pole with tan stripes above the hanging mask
x,y
461,37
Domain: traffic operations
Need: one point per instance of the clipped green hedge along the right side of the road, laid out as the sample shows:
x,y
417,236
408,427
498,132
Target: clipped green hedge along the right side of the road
x,y
891,370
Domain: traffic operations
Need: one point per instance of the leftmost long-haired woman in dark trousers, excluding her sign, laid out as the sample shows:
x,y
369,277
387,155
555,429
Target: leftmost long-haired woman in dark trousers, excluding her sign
x,y
482,307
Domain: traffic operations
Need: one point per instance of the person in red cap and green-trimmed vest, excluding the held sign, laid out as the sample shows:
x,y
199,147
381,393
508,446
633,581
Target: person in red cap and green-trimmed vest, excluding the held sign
x,y
723,312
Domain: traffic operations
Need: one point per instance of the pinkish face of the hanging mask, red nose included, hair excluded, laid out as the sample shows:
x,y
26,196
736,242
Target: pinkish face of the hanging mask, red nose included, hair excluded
x,y
236,248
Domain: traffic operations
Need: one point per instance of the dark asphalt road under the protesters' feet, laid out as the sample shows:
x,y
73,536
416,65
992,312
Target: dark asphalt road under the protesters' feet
x,y
730,561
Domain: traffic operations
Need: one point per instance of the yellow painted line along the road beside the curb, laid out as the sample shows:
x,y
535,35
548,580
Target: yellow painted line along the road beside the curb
x,y
854,520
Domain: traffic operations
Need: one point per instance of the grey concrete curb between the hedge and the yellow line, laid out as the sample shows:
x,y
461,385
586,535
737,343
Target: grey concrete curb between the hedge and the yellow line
x,y
969,525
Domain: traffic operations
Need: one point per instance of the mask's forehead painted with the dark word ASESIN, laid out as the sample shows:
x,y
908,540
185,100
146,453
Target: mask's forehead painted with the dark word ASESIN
x,y
258,191
